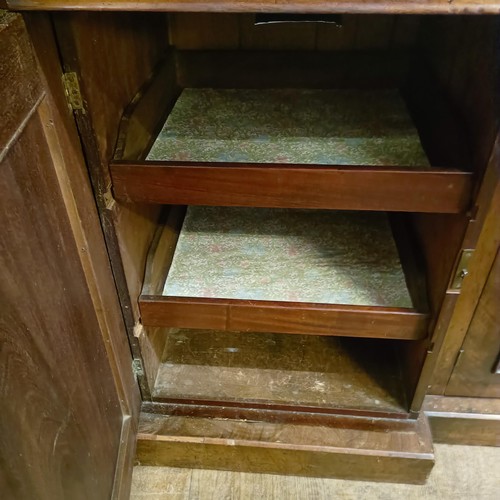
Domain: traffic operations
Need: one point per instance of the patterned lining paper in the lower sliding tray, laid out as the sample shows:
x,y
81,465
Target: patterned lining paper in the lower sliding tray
x,y
331,257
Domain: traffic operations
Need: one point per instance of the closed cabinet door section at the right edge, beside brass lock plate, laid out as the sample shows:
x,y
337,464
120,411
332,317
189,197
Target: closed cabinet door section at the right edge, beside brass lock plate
x,y
475,373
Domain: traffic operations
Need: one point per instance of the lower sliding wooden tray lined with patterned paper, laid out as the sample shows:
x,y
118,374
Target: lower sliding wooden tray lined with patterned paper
x,y
314,272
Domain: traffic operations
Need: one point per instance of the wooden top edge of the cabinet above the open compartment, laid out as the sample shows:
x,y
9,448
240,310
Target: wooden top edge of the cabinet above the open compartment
x,y
319,6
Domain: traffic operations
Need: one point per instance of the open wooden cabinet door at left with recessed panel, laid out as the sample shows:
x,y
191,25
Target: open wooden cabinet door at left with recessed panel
x,y
69,400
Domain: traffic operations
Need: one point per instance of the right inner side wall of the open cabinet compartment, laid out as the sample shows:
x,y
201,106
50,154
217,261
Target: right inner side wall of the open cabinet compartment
x,y
462,53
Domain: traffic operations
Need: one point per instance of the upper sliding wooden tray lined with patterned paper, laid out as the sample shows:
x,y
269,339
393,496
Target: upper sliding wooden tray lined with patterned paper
x,y
291,148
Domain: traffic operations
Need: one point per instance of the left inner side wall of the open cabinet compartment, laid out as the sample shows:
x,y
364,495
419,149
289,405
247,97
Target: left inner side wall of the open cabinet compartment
x,y
130,45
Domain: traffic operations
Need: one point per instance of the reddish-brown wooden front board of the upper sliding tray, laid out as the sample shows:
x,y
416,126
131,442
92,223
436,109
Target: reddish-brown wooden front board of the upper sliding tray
x,y
348,188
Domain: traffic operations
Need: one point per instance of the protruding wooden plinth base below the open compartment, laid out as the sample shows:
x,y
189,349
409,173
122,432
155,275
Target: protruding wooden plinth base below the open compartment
x,y
361,451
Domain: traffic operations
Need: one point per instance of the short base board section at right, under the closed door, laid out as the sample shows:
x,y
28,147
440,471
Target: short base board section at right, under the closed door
x,y
466,421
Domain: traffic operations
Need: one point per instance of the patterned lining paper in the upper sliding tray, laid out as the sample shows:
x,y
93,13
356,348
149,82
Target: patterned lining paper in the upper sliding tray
x,y
327,127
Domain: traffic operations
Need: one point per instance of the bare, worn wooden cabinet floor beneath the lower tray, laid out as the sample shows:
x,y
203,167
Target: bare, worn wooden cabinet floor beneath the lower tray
x,y
281,372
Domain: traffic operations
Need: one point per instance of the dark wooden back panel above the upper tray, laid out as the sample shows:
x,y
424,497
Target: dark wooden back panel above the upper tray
x,y
206,31
